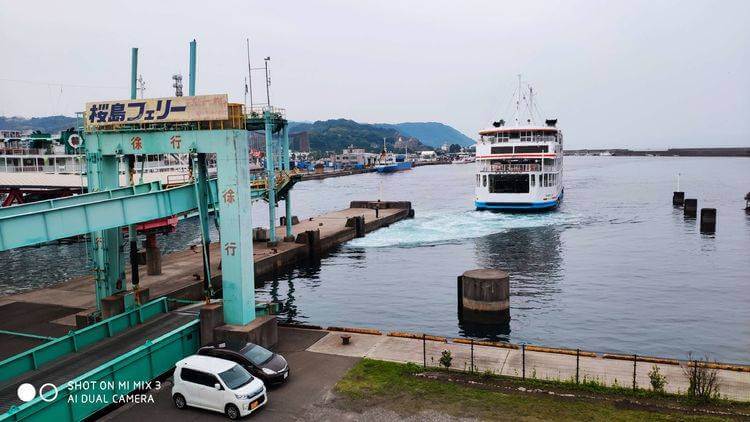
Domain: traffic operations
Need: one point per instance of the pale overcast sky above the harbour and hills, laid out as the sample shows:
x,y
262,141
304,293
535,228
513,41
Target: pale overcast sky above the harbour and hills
x,y
615,73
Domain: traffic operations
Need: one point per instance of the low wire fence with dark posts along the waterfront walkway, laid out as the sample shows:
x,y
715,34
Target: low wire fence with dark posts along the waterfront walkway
x,y
567,365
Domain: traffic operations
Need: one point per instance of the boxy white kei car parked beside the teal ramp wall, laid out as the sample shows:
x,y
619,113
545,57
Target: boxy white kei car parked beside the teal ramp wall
x,y
217,384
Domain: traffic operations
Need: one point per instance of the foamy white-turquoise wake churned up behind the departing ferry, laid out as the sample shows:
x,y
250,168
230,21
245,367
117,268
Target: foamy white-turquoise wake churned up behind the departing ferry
x,y
435,228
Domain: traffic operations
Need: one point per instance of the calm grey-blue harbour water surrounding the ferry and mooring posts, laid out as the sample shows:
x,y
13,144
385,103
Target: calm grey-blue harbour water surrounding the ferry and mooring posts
x,y
616,268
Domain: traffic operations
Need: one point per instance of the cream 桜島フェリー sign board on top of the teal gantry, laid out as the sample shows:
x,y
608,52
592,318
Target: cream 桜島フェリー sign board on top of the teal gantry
x,y
156,110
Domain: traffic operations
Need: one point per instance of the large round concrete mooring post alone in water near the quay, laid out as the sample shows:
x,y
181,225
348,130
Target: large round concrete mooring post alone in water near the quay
x,y
484,296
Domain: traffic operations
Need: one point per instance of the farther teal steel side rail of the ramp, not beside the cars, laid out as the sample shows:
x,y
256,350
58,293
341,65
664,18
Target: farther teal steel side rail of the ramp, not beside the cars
x,y
74,341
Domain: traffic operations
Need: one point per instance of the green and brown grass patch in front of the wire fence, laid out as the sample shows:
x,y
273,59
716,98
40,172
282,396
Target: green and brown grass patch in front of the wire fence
x,y
397,387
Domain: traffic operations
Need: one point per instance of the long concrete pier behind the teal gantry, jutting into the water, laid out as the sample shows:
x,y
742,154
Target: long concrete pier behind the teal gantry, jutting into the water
x,y
182,271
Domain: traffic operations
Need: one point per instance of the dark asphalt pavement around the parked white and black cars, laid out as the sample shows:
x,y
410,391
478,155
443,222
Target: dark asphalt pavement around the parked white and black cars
x,y
312,376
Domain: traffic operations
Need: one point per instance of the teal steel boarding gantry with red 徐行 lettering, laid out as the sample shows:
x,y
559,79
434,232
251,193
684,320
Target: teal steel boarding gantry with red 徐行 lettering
x,y
109,207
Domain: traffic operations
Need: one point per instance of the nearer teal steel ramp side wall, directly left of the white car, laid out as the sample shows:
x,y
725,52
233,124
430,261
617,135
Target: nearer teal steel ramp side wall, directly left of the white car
x,y
111,381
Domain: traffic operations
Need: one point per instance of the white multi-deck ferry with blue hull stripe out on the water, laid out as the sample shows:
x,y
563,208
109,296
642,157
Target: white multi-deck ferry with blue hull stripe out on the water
x,y
520,167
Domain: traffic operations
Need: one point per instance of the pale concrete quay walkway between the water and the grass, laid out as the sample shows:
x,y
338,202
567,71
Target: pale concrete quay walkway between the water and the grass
x,y
506,359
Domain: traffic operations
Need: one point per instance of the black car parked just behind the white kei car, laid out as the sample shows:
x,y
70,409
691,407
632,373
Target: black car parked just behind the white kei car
x,y
271,367
